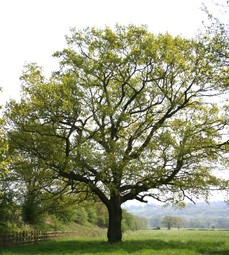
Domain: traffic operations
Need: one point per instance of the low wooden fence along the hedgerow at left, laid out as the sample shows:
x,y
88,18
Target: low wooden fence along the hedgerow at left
x,y
29,237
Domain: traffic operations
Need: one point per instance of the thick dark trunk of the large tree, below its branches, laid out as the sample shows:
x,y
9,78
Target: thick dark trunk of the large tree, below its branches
x,y
114,233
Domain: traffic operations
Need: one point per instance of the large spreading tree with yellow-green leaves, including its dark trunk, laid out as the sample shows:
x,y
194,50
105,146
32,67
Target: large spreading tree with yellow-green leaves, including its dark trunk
x,y
128,115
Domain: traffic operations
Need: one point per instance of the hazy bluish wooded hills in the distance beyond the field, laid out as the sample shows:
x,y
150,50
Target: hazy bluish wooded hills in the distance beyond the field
x,y
200,215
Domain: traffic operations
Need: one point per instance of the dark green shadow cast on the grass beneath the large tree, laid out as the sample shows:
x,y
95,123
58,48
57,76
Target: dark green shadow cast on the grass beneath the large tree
x,y
80,247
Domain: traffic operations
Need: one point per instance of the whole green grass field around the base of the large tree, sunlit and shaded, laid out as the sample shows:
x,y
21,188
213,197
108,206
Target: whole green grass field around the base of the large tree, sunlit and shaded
x,y
157,242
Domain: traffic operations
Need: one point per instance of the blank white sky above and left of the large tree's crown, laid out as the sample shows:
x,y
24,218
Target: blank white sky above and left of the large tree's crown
x,y
32,30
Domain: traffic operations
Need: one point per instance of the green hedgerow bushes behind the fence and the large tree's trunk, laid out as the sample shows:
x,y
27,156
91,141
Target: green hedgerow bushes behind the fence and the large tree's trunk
x,y
54,212
